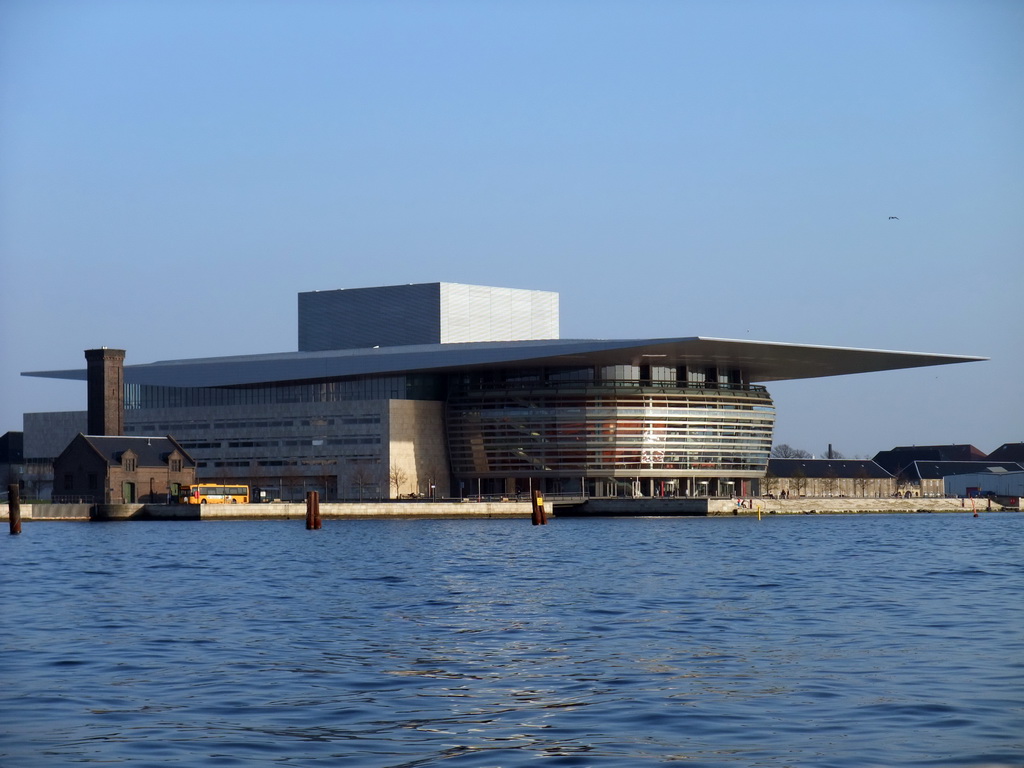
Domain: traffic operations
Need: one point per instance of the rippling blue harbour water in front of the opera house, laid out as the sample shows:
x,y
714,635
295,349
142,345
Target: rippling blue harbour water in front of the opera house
x,y
848,642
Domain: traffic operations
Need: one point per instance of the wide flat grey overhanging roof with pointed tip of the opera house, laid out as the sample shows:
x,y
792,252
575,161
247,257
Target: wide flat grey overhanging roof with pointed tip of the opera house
x,y
762,361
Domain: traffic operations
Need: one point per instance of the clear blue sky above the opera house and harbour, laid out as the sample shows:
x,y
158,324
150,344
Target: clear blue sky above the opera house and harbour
x,y
174,174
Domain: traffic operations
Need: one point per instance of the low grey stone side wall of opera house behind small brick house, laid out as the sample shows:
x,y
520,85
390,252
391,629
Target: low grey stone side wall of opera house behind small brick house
x,y
343,449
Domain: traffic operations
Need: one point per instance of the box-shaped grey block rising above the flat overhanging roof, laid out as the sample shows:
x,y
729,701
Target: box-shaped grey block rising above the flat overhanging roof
x,y
423,314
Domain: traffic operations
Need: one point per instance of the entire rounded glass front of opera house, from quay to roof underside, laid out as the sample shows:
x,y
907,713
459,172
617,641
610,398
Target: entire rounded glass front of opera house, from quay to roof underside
x,y
610,431
